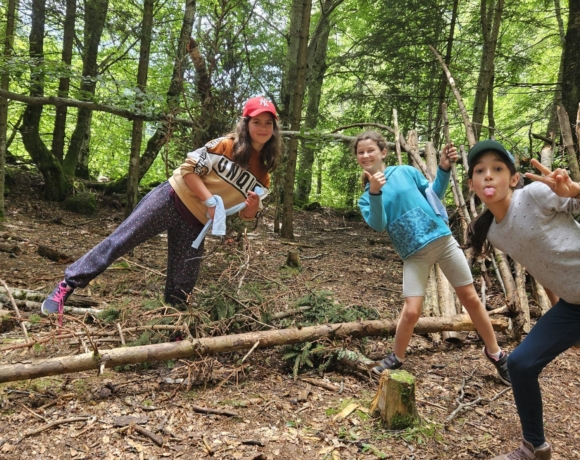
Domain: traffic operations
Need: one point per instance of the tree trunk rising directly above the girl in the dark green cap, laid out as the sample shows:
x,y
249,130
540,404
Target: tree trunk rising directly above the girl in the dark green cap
x,y
491,11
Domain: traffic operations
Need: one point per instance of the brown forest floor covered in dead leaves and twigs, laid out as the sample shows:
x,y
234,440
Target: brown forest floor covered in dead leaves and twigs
x,y
346,267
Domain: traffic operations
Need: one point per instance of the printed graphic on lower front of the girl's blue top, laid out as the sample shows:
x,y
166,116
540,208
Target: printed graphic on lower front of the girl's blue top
x,y
411,231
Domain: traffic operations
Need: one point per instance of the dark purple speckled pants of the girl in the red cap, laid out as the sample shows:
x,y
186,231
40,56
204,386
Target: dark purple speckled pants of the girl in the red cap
x,y
154,214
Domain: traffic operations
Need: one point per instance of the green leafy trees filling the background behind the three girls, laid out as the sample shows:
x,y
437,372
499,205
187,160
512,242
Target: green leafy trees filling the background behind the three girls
x,y
154,80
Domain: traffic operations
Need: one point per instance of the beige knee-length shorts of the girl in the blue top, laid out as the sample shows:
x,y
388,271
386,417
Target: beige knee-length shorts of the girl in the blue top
x,y
448,254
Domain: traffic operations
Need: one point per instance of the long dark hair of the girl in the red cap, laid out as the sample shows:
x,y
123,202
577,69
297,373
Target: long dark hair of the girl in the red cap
x,y
270,153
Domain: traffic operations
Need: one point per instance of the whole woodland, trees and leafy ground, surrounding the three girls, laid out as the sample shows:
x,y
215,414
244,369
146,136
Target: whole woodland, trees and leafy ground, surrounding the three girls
x,y
105,111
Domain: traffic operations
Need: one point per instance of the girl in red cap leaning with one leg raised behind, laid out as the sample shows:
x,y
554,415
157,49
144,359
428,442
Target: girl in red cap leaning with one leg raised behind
x,y
230,168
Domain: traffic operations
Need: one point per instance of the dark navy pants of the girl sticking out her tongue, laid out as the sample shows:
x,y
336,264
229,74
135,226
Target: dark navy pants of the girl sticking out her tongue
x,y
553,334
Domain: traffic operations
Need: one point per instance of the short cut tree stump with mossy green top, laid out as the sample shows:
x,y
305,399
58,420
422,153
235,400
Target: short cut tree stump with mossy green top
x,y
395,400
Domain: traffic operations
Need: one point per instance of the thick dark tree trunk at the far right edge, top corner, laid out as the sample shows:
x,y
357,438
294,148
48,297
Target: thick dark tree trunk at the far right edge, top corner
x,y
571,75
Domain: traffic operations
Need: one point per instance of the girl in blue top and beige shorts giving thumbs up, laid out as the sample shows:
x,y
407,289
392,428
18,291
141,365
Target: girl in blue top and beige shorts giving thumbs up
x,y
395,200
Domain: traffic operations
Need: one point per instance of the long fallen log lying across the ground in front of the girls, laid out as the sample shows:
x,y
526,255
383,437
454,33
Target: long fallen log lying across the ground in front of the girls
x,y
30,369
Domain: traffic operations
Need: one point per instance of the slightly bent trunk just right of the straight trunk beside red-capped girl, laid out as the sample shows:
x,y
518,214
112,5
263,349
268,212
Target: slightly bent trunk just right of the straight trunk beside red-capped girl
x,y
316,65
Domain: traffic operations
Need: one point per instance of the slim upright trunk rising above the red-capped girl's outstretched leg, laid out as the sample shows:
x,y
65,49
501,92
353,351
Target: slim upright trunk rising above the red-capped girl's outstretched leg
x,y
137,132
